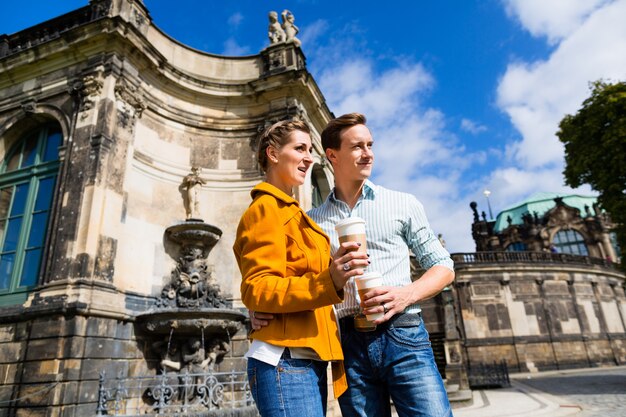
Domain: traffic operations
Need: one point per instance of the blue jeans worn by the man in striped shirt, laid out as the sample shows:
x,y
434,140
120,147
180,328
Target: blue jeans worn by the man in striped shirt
x,y
396,362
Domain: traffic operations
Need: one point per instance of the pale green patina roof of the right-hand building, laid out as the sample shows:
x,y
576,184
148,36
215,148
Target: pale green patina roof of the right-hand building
x,y
541,203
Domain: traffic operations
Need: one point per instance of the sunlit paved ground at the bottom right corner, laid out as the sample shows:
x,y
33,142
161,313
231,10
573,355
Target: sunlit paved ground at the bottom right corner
x,y
581,393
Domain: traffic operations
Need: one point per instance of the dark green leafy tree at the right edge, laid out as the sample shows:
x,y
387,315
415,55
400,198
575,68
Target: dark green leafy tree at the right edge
x,y
595,149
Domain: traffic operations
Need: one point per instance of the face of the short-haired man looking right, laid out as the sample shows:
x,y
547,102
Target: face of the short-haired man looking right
x,y
354,158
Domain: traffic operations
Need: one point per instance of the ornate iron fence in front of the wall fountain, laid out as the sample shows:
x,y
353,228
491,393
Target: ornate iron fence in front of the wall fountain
x,y
198,394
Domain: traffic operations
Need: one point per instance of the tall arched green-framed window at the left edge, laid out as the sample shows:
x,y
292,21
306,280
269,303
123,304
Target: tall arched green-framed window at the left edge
x,y
27,181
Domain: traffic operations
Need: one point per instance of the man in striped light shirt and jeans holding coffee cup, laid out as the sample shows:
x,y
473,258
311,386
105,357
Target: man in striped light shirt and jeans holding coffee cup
x,y
396,359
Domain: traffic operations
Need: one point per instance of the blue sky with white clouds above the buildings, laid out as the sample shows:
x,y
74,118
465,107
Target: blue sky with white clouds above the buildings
x,y
461,96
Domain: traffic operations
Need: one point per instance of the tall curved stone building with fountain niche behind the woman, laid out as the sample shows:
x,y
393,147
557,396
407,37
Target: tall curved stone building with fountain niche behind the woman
x,y
105,121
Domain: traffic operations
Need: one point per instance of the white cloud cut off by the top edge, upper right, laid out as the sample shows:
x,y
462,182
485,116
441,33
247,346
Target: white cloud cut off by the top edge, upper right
x,y
555,19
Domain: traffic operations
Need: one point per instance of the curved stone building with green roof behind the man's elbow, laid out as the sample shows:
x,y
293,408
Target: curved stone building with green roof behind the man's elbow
x,y
542,291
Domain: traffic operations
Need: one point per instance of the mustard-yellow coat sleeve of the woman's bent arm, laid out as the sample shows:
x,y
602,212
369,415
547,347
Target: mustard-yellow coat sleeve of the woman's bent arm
x,y
267,283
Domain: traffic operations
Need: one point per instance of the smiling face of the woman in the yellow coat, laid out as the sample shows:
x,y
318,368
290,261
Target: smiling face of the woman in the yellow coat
x,y
291,162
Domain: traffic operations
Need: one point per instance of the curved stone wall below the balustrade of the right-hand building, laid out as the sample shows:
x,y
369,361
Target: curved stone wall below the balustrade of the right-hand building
x,y
540,316
